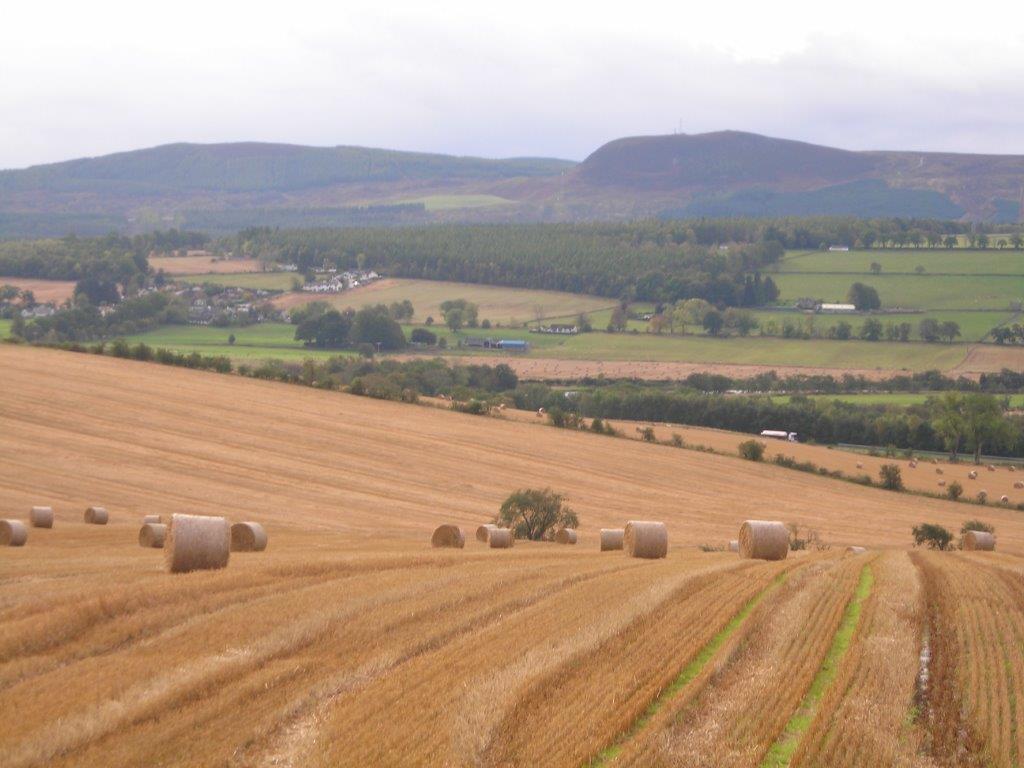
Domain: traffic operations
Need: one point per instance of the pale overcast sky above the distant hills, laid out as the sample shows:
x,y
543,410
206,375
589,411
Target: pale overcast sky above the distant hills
x,y
521,78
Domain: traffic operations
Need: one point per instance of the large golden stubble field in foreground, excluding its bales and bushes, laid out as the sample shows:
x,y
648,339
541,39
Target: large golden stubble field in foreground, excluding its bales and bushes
x,y
311,653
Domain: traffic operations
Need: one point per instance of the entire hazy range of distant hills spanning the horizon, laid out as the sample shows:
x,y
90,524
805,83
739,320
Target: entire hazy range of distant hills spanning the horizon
x,y
223,188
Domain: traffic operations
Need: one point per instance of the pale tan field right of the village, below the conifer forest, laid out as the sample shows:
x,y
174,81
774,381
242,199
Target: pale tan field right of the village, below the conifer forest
x,y
505,306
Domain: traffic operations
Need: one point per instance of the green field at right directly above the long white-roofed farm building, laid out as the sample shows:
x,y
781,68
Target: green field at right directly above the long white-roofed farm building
x,y
910,291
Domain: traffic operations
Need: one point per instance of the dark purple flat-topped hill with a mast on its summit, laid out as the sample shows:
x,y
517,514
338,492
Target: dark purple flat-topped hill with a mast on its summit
x,y
732,174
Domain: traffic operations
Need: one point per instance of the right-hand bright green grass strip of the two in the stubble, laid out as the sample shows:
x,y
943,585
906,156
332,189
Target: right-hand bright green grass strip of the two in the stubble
x,y
782,752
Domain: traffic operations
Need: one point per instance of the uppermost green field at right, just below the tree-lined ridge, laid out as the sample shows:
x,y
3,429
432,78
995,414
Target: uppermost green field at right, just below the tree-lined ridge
x,y
935,263
